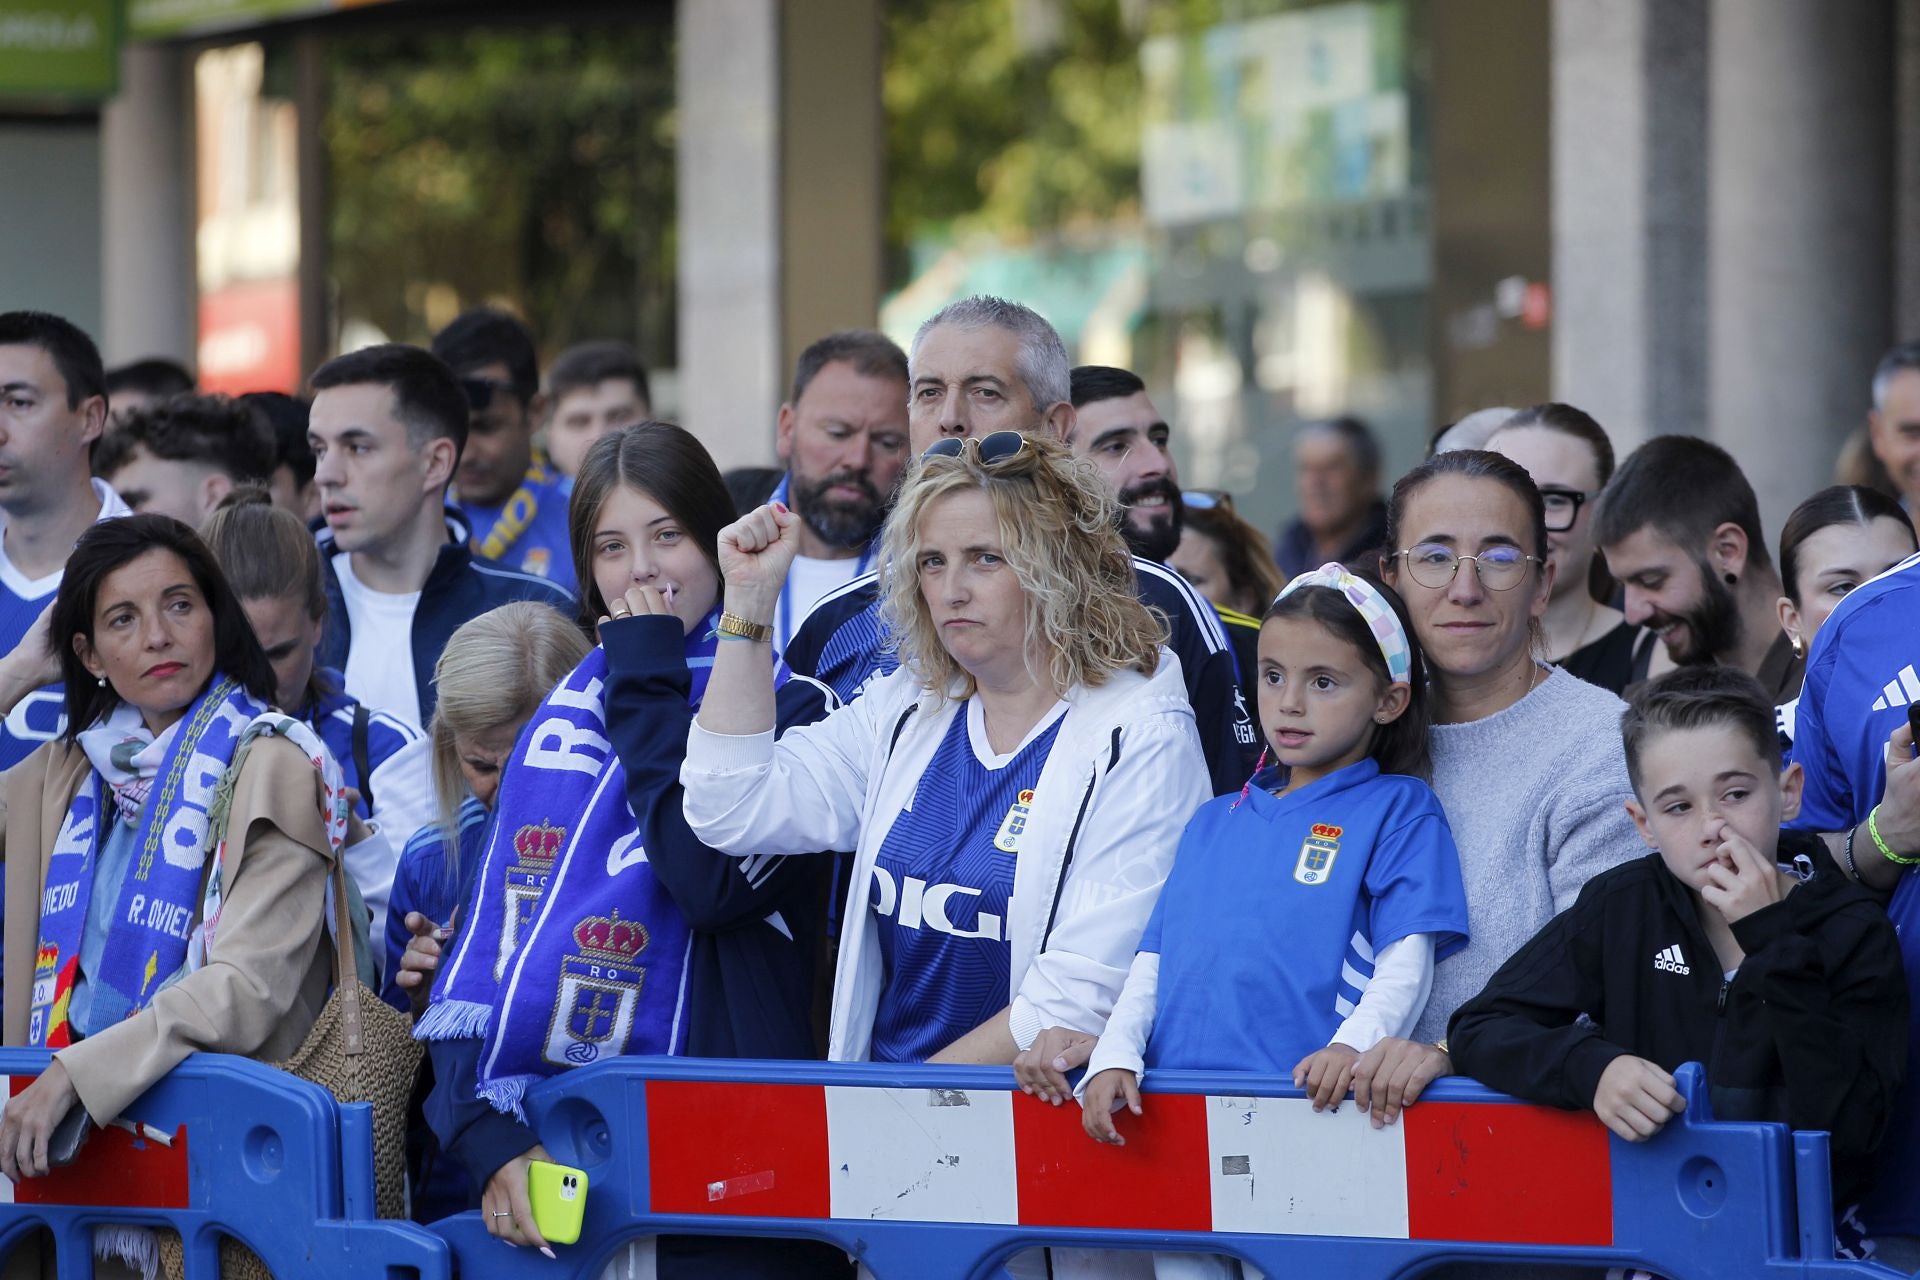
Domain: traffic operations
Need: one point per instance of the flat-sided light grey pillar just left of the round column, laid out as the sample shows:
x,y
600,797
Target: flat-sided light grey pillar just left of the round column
x,y
1631,214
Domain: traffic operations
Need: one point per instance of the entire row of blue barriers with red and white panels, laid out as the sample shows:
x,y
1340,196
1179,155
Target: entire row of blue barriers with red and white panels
x,y
949,1172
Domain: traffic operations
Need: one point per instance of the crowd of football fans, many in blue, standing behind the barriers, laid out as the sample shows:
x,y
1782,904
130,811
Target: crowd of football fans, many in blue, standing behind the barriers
x,y
967,736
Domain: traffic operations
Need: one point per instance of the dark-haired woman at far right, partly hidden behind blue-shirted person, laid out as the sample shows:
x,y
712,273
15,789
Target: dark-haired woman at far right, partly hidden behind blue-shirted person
x,y
1831,544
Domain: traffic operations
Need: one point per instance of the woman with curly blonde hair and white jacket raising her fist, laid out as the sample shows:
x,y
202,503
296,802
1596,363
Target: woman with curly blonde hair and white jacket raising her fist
x,y
1013,794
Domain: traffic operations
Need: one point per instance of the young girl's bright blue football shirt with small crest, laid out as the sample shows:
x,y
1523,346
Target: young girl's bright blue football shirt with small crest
x,y
1278,905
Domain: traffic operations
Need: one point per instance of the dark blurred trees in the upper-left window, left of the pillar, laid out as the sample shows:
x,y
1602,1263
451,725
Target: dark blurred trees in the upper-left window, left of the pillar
x,y
527,166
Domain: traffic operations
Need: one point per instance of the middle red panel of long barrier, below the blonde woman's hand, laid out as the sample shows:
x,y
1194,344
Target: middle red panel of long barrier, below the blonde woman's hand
x,y
1155,1183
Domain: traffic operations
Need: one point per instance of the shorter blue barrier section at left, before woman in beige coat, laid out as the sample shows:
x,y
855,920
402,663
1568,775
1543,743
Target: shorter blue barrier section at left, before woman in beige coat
x,y
226,1147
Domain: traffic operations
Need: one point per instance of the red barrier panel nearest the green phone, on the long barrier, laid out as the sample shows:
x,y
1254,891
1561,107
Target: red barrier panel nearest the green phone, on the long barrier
x,y
742,1150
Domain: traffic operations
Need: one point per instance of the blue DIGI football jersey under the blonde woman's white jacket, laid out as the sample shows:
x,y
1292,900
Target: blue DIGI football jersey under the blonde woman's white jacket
x,y
942,884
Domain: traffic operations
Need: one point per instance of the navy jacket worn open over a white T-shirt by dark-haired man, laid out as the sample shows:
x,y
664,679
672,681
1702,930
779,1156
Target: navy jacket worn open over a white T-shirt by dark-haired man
x,y
458,588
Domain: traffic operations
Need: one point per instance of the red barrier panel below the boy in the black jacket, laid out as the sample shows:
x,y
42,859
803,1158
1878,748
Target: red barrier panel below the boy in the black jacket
x,y
1508,1173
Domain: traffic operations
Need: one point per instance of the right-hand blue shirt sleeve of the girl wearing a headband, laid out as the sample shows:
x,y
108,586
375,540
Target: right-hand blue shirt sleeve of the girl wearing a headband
x,y
1414,882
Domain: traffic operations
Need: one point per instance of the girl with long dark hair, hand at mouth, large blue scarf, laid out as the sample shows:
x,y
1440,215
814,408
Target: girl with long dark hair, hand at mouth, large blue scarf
x,y
592,857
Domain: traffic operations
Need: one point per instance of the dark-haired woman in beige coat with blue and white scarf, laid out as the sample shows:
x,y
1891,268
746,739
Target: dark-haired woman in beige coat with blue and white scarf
x,y
166,690
